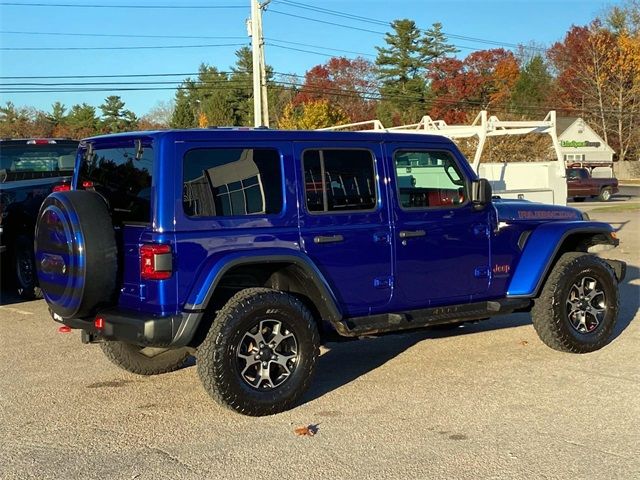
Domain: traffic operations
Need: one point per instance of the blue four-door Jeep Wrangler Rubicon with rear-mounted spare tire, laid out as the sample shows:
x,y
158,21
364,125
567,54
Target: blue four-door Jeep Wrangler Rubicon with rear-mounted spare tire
x,y
249,246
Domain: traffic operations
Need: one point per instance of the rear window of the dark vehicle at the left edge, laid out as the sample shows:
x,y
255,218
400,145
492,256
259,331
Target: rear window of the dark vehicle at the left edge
x,y
46,160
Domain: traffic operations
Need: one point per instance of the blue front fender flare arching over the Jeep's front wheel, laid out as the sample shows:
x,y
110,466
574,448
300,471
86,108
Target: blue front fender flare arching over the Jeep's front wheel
x,y
541,250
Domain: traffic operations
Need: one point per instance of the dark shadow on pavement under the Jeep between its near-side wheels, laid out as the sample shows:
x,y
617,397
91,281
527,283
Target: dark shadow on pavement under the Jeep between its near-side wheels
x,y
346,361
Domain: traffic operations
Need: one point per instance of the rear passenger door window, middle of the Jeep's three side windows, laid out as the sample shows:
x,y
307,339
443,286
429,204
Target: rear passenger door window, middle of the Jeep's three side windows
x,y
339,180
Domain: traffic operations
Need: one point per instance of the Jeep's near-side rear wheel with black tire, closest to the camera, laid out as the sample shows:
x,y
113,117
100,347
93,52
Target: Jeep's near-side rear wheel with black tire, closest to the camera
x,y
260,353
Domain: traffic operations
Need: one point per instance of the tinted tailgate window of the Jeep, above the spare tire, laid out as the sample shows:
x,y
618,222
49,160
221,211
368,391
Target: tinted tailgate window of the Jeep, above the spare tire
x,y
123,177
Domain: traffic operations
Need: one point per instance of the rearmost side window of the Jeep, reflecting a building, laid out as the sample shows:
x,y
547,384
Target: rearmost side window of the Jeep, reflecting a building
x,y
224,182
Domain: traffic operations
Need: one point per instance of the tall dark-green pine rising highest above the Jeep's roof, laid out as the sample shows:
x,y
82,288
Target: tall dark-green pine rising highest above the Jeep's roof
x,y
402,68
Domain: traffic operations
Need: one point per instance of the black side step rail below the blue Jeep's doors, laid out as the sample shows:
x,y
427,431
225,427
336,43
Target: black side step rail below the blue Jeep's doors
x,y
387,322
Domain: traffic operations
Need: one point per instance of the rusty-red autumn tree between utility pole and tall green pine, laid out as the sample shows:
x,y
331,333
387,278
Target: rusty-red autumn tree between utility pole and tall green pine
x,y
345,83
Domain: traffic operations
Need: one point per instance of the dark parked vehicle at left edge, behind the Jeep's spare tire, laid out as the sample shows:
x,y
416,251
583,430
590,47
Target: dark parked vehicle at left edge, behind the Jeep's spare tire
x,y
30,169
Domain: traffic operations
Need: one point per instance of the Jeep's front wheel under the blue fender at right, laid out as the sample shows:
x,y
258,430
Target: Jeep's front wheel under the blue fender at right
x,y
578,307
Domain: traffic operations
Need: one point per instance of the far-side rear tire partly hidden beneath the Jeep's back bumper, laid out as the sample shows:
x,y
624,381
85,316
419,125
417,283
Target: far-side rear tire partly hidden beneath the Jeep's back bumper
x,y
144,360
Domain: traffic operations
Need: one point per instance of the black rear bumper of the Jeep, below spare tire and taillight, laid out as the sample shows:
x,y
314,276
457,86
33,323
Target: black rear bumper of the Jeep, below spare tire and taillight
x,y
139,328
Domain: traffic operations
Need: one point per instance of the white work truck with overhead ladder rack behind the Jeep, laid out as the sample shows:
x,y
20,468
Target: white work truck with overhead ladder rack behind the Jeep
x,y
543,182
